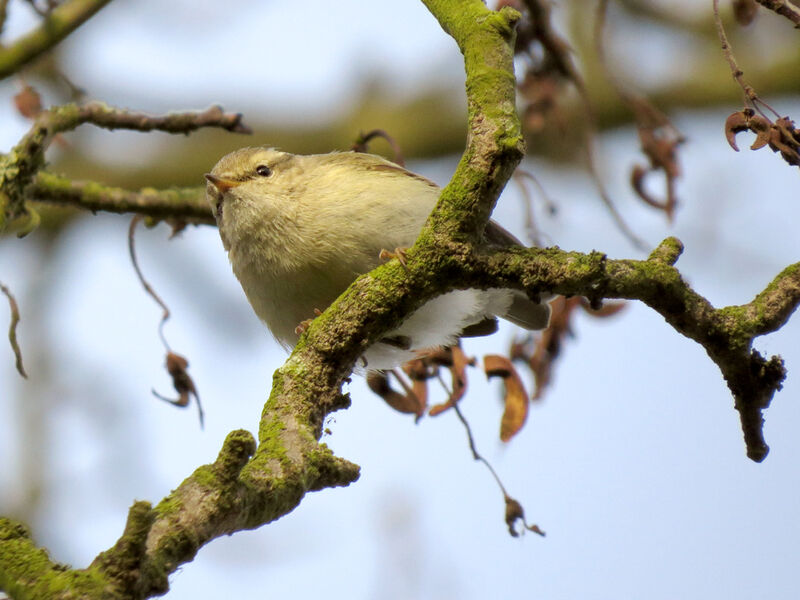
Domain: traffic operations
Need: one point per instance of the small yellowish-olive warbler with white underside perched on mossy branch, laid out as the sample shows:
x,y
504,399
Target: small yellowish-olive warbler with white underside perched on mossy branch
x,y
300,229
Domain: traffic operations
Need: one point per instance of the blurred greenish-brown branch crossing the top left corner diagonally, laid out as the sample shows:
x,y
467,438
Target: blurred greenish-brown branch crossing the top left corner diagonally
x,y
57,25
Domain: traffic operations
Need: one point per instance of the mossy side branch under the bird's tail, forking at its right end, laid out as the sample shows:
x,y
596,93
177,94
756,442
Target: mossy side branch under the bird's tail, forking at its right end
x,y
726,333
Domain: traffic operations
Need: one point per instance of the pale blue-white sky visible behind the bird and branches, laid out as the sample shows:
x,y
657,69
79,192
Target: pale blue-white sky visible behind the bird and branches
x,y
634,463
